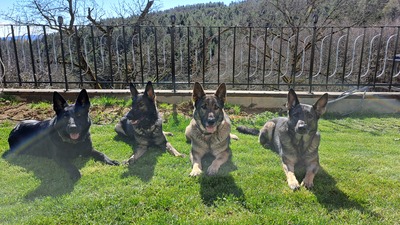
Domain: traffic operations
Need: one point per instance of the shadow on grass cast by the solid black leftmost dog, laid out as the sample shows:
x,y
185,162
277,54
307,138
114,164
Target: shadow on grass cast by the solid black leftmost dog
x,y
54,180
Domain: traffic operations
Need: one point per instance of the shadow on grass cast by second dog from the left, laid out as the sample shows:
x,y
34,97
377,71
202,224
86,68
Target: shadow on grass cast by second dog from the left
x,y
144,167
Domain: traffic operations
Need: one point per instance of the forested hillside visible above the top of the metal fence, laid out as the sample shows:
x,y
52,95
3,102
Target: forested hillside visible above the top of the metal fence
x,y
274,13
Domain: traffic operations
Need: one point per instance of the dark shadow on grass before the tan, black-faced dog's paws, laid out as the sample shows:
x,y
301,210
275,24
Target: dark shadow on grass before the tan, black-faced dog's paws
x,y
221,186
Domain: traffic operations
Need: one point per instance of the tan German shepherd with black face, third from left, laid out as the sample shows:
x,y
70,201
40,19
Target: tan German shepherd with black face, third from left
x,y
209,130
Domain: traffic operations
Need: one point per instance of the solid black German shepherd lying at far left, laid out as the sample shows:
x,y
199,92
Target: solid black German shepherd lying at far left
x,y
62,138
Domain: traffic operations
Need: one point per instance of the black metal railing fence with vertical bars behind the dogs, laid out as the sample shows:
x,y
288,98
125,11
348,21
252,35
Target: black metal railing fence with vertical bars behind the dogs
x,y
173,57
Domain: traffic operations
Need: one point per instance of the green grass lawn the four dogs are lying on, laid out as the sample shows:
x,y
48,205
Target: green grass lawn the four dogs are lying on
x,y
358,183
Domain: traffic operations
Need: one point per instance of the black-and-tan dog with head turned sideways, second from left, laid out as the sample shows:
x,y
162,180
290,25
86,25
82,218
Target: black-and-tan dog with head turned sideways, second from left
x,y
143,124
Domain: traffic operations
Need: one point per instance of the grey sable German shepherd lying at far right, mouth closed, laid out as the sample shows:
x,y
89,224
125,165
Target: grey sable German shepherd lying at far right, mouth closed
x,y
295,138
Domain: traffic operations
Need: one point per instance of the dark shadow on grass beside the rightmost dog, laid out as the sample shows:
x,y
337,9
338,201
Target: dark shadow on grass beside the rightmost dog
x,y
332,198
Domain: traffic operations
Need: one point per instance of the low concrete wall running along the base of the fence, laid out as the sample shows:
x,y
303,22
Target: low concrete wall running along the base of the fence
x,y
369,102
